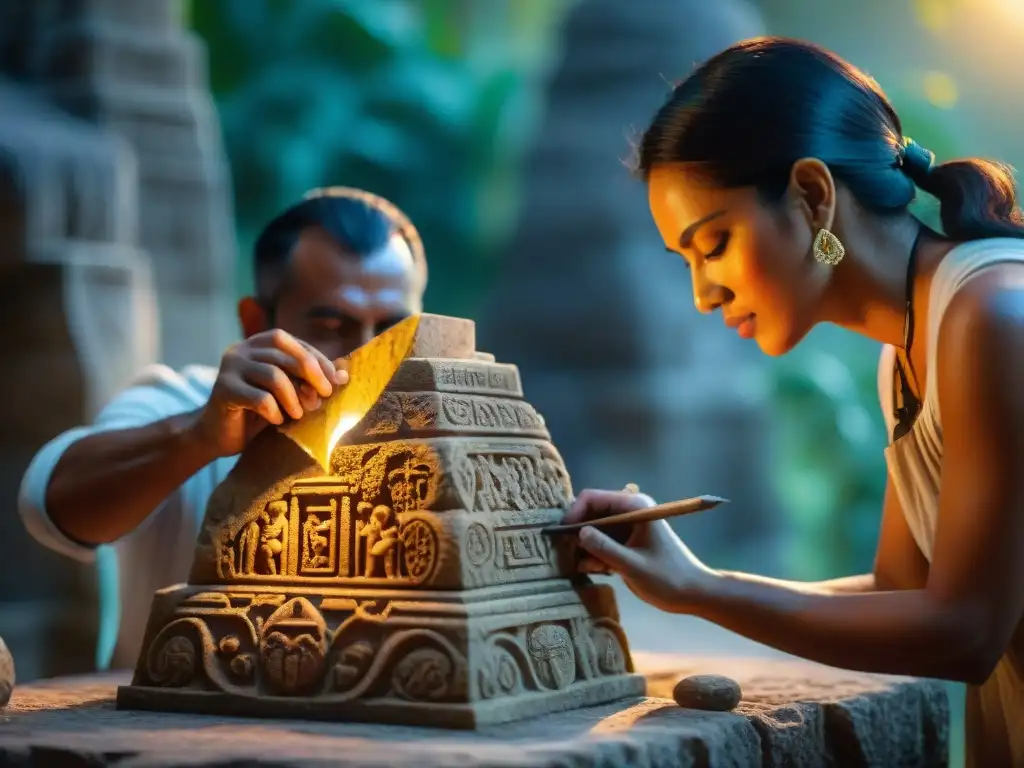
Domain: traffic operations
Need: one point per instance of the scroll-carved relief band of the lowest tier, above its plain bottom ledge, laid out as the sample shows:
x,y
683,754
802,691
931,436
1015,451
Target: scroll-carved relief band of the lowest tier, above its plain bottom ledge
x,y
338,650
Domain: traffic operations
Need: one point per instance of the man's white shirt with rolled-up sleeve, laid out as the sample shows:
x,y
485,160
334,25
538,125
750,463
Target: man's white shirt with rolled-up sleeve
x,y
159,552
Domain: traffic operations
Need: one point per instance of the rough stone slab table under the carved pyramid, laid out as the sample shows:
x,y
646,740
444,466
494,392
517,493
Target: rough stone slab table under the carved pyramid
x,y
793,714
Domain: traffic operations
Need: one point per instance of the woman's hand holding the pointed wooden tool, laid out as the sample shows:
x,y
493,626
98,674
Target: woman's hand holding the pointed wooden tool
x,y
654,562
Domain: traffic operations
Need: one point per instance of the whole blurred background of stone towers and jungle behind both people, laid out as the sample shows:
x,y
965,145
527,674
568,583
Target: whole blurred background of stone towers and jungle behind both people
x,y
144,145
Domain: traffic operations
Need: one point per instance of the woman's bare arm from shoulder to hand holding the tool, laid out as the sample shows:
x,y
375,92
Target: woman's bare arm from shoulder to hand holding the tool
x,y
958,624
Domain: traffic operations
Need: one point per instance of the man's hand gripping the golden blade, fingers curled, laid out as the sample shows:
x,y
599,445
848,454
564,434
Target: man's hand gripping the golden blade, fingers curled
x,y
264,380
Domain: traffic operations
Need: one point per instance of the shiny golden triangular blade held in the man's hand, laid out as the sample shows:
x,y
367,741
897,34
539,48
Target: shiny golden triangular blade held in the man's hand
x,y
370,369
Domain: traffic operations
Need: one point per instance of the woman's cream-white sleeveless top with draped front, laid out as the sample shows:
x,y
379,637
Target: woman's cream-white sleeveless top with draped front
x,y
916,460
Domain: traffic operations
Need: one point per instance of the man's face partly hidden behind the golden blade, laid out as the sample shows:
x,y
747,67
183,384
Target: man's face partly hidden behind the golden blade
x,y
337,301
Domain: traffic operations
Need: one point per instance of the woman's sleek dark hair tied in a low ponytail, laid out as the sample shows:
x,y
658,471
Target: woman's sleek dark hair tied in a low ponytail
x,y
748,114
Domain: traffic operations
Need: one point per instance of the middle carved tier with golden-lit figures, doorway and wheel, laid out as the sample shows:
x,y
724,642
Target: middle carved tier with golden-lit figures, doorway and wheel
x,y
445,514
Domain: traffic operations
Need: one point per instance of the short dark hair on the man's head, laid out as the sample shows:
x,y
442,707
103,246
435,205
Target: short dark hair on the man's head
x,y
361,222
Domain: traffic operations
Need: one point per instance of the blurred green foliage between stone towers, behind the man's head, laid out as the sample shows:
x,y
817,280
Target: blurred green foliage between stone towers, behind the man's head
x,y
430,104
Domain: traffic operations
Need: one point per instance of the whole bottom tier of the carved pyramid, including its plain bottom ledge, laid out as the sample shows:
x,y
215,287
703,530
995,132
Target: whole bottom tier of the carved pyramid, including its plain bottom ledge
x,y
452,660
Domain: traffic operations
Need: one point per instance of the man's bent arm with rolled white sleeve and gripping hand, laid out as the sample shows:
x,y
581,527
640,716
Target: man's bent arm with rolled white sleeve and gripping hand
x,y
98,485
